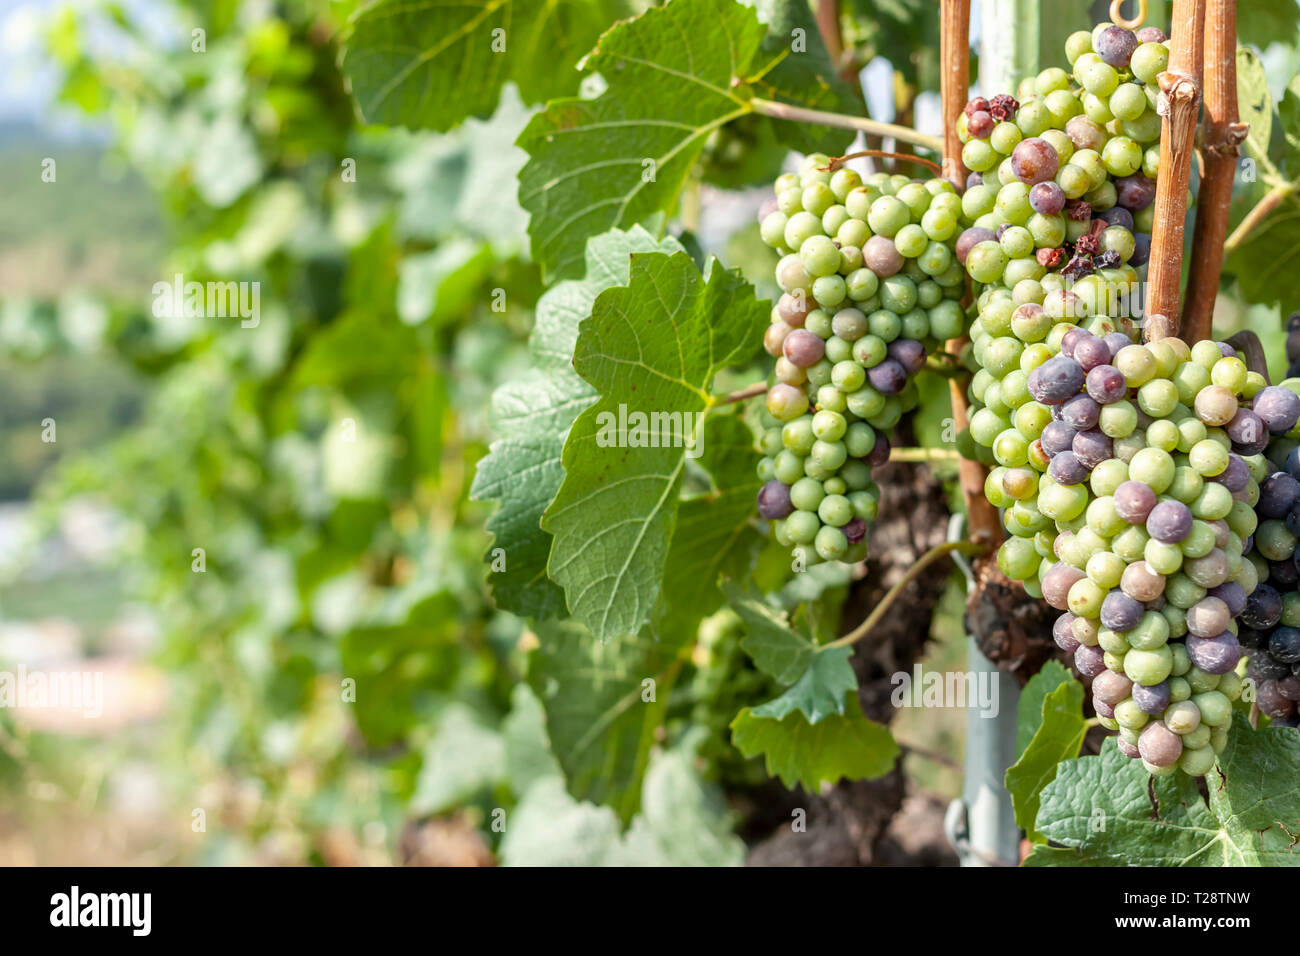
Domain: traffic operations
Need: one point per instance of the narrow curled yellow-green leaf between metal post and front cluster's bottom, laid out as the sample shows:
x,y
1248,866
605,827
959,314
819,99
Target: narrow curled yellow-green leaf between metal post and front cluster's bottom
x,y
1059,737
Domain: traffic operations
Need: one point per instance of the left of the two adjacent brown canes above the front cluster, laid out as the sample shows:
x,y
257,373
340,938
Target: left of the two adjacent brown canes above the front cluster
x,y
1180,103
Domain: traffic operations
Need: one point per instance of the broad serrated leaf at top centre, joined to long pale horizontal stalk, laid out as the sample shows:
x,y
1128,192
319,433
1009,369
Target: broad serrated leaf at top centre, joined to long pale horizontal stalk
x,y
673,75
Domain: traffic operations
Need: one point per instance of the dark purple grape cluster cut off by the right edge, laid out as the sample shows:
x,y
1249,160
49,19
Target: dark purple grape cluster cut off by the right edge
x,y
1271,624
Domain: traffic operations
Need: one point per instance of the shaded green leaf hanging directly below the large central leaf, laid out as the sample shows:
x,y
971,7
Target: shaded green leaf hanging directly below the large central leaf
x,y
604,702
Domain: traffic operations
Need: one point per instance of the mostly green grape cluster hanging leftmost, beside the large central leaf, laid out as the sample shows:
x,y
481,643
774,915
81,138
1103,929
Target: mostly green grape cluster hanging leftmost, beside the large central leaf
x,y
870,283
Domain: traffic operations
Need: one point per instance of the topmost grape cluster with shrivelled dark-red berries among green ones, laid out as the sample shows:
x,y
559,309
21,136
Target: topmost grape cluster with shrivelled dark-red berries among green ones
x,y
1064,179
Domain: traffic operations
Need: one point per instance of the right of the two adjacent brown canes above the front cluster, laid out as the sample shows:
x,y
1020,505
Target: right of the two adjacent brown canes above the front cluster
x,y
1221,148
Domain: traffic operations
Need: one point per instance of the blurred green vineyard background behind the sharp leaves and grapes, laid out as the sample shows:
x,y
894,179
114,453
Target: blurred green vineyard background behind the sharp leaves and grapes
x,y
240,526
